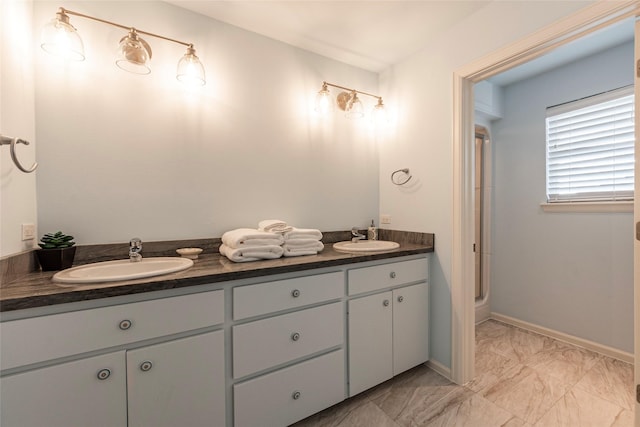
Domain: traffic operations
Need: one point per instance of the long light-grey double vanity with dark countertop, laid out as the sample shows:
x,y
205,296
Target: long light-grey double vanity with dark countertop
x,y
265,343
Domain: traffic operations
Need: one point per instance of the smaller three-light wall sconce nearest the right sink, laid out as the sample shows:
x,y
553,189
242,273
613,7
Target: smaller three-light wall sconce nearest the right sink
x,y
348,102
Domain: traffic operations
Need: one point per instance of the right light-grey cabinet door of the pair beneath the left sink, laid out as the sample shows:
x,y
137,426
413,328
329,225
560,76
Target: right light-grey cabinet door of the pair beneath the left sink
x,y
178,383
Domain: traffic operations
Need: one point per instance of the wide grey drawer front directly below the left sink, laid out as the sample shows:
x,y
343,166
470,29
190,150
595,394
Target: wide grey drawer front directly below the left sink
x,y
43,338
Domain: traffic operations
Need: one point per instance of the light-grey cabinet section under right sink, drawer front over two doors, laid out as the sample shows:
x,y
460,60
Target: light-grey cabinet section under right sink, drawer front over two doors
x,y
388,326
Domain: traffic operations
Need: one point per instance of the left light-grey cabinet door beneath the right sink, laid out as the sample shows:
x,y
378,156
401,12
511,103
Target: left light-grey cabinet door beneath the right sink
x,y
370,341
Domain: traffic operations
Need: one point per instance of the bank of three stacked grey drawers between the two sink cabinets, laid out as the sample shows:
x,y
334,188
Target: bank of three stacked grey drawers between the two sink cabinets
x,y
289,361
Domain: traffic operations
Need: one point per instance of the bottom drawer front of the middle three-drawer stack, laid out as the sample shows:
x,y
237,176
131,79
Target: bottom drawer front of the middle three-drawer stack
x,y
291,394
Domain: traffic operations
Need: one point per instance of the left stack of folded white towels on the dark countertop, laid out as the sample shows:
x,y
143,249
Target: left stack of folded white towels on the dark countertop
x,y
248,244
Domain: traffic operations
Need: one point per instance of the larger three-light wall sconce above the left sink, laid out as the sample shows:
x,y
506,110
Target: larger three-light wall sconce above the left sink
x,y
61,38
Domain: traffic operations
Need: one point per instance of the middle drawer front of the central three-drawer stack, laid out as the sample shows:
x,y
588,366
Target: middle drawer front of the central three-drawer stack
x,y
266,343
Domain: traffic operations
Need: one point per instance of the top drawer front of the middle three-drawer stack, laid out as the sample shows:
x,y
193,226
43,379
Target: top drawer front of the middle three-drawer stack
x,y
269,297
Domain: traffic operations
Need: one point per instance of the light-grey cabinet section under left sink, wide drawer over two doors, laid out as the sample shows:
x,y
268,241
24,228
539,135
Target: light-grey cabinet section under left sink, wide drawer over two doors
x,y
173,381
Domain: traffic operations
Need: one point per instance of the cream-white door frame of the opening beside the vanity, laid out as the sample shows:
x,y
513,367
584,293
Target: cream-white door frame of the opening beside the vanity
x,y
585,21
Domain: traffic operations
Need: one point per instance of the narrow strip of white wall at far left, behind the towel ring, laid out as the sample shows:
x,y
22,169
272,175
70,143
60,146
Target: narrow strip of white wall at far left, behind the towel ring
x,y
17,119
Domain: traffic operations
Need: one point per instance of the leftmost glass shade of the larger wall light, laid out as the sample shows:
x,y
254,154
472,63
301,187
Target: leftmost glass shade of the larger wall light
x,y
60,38
